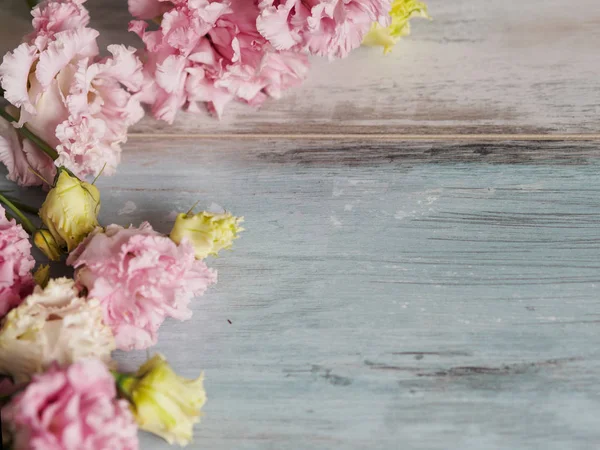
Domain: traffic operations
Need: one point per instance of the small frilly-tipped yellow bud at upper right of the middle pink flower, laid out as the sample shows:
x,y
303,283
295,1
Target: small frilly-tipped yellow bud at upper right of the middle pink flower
x,y
209,233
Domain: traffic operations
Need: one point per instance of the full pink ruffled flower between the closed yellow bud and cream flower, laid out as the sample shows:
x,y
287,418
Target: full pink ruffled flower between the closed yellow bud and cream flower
x,y
140,277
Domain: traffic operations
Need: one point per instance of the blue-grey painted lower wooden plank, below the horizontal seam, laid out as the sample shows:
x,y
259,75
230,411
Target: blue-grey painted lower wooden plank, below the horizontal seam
x,y
389,296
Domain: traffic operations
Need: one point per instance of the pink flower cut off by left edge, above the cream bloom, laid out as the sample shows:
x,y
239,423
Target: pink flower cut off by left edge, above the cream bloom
x,y
16,264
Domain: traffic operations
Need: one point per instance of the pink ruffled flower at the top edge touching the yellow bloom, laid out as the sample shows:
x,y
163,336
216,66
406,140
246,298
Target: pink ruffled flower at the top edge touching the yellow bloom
x,y
331,28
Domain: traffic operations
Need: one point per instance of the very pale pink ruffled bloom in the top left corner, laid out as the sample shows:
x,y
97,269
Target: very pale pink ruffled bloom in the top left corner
x,y
77,102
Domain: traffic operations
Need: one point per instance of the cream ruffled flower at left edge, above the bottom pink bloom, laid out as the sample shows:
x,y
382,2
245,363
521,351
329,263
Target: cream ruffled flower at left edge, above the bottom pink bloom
x,y
52,324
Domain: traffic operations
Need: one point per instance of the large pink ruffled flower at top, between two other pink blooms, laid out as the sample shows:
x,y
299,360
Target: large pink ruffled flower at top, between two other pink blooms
x,y
209,52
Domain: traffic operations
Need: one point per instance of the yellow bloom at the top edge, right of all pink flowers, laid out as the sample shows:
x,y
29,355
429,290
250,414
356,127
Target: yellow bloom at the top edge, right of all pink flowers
x,y
401,13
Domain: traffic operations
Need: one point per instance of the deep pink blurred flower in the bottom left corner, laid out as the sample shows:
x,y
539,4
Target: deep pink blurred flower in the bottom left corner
x,y
71,409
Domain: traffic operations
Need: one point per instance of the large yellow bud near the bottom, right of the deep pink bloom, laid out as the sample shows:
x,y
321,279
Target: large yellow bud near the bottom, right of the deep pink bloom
x,y
163,402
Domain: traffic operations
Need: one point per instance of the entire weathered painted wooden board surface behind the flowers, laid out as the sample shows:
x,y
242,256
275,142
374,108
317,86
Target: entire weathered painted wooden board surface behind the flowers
x,y
420,268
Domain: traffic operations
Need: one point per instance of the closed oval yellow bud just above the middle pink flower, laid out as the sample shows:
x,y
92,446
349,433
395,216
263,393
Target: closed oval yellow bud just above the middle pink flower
x,y
71,210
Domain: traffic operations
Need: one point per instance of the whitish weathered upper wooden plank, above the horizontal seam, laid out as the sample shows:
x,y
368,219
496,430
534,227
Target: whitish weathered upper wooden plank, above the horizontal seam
x,y
509,67
